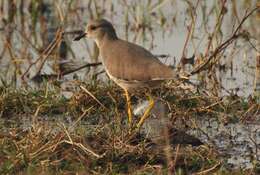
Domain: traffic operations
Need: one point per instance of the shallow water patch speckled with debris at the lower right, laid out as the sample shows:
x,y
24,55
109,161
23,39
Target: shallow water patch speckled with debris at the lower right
x,y
237,143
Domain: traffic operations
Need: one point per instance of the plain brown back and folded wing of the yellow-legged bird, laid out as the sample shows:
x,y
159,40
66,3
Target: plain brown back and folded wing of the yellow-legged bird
x,y
133,62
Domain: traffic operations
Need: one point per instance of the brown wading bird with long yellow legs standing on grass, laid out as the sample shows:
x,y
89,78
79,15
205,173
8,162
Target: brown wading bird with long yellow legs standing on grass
x,y
129,65
